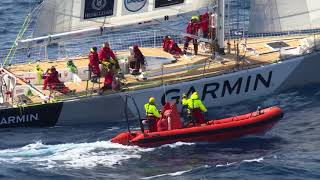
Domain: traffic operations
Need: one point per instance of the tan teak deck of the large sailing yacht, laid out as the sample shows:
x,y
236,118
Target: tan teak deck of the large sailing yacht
x,y
262,55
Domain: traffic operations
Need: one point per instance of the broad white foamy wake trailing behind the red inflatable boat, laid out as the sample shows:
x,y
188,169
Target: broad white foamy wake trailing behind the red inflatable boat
x,y
81,155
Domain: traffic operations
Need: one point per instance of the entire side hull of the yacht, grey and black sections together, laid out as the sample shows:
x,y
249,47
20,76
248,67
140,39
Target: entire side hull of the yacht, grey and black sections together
x,y
215,91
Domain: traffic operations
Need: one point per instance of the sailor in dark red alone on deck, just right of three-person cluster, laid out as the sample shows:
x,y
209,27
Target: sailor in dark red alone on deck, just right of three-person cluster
x,y
136,60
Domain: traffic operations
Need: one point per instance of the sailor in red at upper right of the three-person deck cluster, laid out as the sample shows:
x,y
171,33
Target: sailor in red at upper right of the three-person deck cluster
x,y
106,56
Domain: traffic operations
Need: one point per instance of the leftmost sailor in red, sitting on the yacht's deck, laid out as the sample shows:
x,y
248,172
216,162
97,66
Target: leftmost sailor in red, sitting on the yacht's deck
x,y
51,80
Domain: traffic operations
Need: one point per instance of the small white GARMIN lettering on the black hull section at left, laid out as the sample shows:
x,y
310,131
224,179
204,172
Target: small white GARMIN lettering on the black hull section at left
x,y
19,119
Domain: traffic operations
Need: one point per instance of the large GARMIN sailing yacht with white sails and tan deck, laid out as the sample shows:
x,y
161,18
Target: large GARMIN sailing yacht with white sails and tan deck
x,y
276,52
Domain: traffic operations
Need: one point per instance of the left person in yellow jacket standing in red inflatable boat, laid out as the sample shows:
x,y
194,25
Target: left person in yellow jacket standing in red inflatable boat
x,y
152,114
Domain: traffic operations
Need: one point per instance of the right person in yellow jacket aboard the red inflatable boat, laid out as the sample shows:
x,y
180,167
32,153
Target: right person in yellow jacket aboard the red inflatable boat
x,y
195,107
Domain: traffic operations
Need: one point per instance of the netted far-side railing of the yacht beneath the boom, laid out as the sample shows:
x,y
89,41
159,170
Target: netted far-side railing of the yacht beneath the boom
x,y
81,46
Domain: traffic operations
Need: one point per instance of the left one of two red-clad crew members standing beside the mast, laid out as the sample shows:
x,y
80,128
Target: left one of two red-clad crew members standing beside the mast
x,y
192,28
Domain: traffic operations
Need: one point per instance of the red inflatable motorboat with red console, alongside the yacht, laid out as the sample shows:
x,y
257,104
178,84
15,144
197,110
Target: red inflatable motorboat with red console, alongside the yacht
x,y
214,130
